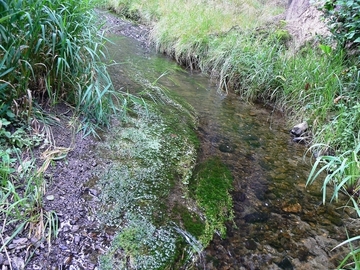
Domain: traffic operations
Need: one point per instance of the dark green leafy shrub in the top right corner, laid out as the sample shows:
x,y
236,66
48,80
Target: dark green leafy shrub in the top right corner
x,y
344,20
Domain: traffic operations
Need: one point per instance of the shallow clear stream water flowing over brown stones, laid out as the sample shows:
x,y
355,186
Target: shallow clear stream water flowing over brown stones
x,y
279,224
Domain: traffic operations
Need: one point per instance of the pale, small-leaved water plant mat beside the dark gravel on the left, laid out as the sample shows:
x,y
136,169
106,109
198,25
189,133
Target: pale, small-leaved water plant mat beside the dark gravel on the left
x,y
149,161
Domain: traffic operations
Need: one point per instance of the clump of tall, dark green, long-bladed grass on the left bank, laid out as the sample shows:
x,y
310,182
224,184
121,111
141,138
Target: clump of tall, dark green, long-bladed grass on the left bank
x,y
53,51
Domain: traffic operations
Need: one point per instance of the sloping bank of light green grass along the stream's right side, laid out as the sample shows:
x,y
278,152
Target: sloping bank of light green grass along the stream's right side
x,y
236,42
